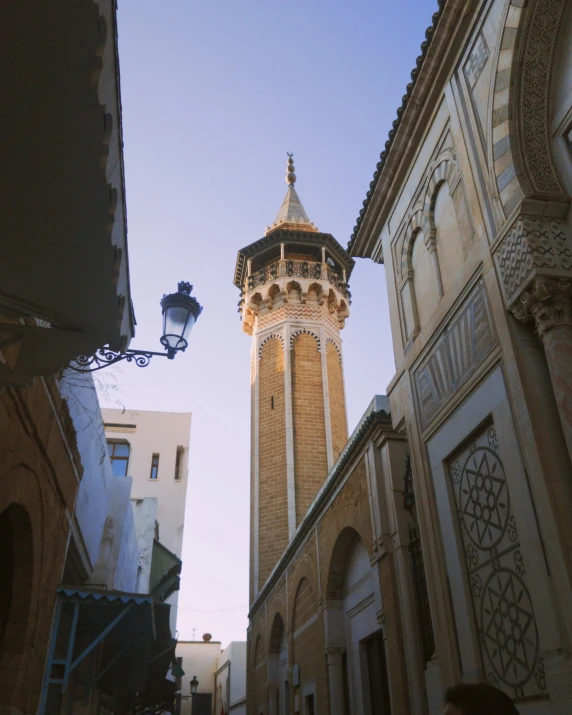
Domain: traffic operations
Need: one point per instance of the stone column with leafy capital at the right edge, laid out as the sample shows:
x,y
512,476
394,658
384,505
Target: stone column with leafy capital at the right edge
x,y
548,301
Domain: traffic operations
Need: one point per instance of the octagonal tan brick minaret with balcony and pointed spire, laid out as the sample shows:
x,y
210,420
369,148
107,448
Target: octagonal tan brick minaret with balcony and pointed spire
x,y
294,301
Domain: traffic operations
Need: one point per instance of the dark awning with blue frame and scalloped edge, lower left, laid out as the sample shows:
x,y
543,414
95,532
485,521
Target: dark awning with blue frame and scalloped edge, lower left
x,y
135,647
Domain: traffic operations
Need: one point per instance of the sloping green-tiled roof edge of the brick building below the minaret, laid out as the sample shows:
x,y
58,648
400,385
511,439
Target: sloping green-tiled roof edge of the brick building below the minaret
x,y
376,414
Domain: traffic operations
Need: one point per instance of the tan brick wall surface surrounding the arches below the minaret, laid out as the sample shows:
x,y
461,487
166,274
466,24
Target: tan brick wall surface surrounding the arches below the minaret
x,y
307,583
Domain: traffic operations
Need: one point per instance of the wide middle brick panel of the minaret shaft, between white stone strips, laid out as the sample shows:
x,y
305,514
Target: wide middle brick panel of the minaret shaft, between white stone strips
x,y
310,456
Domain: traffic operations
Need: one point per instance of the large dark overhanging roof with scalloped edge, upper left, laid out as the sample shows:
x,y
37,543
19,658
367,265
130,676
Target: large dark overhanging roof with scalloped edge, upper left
x,y
62,203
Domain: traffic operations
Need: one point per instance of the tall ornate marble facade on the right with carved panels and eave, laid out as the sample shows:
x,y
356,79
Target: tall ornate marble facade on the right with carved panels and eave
x,y
481,313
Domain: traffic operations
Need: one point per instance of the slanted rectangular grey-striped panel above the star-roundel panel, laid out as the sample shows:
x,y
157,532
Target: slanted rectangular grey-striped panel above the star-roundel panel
x,y
462,346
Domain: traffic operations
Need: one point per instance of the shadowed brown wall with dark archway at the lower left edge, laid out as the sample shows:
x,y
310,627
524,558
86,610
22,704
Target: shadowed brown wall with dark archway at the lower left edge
x,y
38,484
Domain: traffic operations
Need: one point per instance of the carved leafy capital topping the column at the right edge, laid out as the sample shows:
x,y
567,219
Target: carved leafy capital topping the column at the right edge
x,y
546,301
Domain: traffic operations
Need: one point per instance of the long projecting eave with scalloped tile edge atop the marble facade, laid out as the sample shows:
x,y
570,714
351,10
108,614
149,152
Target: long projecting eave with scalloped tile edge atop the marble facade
x,y
434,65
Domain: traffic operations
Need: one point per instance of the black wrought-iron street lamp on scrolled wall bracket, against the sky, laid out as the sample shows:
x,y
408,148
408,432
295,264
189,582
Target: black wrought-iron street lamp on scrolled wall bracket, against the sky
x,y
180,313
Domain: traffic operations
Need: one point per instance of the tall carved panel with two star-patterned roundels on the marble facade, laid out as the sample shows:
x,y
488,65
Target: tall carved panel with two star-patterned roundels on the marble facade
x,y
495,567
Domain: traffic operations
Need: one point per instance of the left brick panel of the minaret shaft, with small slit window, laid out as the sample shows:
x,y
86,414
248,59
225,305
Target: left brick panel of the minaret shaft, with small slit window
x,y
273,498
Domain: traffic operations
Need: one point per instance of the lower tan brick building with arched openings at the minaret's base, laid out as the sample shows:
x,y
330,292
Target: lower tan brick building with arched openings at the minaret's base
x,y
331,625
